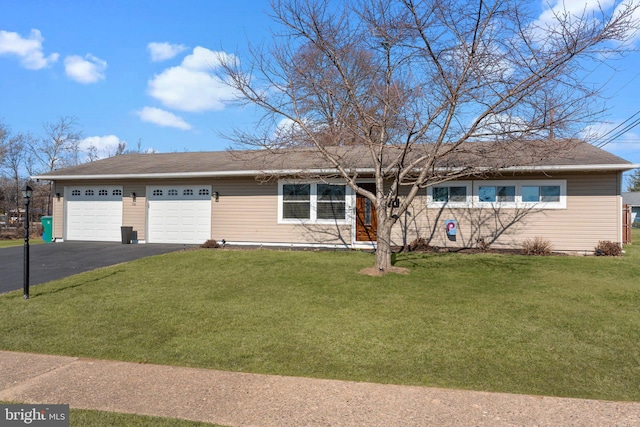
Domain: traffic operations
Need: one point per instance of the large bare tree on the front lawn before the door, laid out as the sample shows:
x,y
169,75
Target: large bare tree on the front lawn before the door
x,y
418,86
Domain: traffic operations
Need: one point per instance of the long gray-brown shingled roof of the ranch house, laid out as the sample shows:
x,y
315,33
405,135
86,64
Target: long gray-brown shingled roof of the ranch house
x,y
570,155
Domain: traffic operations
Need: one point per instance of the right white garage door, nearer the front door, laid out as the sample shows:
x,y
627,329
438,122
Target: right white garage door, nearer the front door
x,y
179,214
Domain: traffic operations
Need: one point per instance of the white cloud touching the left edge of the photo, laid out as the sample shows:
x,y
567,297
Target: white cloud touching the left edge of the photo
x,y
29,49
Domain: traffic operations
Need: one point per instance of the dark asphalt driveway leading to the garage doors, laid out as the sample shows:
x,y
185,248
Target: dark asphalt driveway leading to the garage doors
x,y
57,260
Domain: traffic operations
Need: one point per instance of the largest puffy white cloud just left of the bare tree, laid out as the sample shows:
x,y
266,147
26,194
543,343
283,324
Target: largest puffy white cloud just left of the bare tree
x,y
191,85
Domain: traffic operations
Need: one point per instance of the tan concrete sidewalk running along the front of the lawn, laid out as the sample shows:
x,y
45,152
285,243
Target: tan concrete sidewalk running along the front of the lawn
x,y
237,399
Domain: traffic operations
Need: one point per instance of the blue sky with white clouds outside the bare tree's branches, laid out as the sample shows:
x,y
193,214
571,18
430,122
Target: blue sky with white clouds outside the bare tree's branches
x,y
140,70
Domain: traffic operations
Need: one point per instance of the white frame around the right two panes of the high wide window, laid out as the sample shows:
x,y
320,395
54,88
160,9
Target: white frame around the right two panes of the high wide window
x,y
518,184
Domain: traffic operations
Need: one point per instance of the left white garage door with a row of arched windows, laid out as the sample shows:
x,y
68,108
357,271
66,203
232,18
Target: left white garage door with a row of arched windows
x,y
94,213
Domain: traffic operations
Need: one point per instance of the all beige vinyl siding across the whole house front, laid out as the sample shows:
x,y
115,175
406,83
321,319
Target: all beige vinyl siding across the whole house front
x,y
247,212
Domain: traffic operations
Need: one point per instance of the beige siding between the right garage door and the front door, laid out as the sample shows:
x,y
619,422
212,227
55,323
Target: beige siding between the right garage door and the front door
x,y
247,211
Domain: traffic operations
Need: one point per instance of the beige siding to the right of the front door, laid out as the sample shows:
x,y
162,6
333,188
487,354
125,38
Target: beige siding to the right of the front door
x,y
592,214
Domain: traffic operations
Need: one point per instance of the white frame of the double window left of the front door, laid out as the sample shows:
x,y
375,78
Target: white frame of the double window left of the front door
x,y
313,196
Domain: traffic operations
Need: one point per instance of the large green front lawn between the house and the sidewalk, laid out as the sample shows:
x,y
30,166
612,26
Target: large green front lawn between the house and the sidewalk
x,y
564,326
